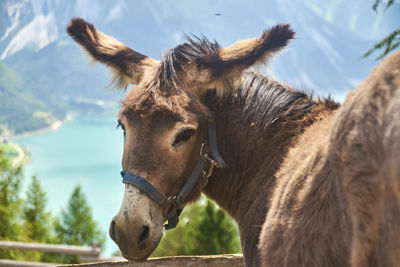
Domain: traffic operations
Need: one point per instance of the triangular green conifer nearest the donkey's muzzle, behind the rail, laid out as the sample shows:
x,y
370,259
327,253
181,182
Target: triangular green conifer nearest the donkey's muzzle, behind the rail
x,y
75,225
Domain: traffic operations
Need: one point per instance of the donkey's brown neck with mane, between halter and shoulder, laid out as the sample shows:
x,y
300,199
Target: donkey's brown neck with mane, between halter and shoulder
x,y
256,124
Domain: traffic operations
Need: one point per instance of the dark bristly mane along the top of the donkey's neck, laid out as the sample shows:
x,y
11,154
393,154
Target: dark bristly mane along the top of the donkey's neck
x,y
266,101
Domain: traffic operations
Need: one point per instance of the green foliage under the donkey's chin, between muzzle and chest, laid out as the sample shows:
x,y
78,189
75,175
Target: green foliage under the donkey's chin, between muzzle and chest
x,y
203,229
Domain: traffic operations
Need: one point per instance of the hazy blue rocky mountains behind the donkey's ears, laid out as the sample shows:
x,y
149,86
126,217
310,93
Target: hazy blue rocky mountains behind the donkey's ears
x,y
325,56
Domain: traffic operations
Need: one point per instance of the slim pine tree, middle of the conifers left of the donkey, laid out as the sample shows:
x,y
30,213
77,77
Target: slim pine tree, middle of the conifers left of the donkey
x,y
36,218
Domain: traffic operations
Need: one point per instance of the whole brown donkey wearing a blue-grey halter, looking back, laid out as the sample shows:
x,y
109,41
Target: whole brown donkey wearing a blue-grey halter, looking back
x,y
309,182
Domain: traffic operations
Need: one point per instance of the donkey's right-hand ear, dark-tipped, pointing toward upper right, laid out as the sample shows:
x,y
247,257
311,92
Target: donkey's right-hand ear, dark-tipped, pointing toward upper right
x,y
246,53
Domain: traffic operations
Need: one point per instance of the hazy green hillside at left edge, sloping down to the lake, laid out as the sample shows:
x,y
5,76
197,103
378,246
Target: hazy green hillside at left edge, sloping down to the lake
x,y
22,107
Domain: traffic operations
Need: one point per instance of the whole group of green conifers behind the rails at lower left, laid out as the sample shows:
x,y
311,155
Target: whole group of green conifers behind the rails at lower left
x,y
29,221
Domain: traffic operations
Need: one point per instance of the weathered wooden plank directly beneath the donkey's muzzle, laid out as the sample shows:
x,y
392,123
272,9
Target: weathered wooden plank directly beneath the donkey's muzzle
x,y
228,260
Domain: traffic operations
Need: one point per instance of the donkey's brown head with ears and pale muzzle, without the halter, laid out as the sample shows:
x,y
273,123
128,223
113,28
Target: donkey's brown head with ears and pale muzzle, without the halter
x,y
164,117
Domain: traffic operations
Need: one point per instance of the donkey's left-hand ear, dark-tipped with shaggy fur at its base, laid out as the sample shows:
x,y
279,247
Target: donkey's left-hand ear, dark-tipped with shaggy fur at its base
x,y
128,65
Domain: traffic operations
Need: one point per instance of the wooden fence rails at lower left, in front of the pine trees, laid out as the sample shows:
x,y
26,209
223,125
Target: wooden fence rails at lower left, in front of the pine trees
x,y
85,253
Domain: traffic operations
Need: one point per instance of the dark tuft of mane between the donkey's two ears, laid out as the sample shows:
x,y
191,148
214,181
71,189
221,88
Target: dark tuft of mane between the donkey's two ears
x,y
173,60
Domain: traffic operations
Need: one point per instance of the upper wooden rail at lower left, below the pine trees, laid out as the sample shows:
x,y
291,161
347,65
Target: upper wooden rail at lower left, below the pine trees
x,y
56,248
